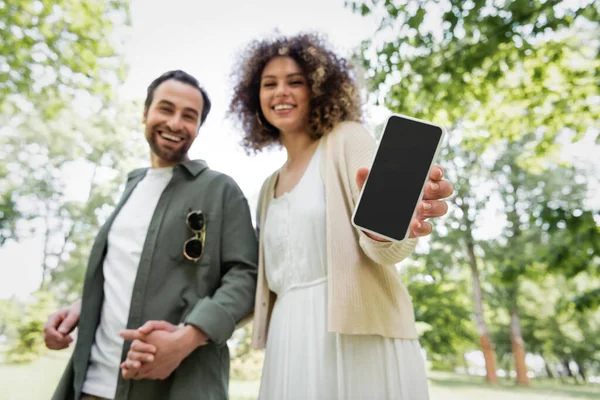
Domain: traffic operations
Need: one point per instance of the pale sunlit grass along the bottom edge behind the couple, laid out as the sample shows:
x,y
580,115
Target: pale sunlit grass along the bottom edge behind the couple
x,y
36,381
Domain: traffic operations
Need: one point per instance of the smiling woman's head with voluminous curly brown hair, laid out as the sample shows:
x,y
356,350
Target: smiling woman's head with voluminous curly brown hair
x,y
308,65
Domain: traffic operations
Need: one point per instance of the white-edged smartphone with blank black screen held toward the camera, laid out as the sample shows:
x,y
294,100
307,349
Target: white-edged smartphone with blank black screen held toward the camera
x,y
405,154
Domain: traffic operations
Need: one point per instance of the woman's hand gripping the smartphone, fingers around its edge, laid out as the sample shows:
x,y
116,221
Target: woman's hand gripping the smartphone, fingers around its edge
x,y
431,206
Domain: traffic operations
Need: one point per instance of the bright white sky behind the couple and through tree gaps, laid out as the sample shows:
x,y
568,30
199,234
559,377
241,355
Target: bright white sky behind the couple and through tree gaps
x,y
203,38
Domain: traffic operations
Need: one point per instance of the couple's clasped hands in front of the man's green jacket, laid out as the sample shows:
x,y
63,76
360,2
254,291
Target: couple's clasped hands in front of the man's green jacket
x,y
158,348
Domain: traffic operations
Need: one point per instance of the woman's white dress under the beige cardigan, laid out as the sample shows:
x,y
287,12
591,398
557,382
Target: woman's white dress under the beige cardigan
x,y
303,360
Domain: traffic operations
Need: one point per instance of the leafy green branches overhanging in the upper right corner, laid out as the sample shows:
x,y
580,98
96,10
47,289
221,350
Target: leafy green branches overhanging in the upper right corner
x,y
534,62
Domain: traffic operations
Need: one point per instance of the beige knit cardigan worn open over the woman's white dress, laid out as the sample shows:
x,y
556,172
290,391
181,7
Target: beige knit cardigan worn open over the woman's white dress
x,y
364,291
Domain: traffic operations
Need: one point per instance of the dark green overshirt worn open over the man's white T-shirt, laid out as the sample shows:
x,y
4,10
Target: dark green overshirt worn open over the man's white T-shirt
x,y
214,293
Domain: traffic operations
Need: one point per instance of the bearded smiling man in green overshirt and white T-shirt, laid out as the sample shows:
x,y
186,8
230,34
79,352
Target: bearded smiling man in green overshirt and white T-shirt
x,y
179,249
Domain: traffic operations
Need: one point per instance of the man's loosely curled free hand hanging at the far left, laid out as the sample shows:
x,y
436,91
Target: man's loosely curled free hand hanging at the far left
x,y
59,326
